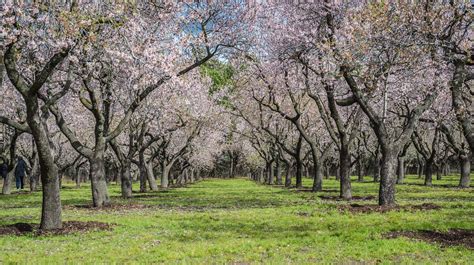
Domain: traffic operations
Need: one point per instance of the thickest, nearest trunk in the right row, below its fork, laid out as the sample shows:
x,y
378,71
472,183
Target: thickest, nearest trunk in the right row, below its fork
x,y
387,177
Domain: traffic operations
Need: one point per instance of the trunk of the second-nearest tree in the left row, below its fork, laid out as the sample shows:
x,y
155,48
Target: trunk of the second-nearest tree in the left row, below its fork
x,y
100,196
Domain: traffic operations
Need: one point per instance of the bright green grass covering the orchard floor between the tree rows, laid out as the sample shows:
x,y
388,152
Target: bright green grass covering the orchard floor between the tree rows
x,y
239,222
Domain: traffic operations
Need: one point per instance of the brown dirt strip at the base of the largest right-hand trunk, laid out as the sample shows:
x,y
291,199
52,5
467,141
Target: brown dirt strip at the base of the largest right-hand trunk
x,y
362,208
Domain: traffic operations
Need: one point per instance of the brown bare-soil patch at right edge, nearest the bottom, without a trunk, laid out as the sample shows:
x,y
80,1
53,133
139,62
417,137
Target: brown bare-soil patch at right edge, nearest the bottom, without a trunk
x,y
452,237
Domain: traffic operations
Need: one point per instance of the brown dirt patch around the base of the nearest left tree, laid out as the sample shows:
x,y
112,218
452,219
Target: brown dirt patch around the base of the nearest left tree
x,y
69,227
